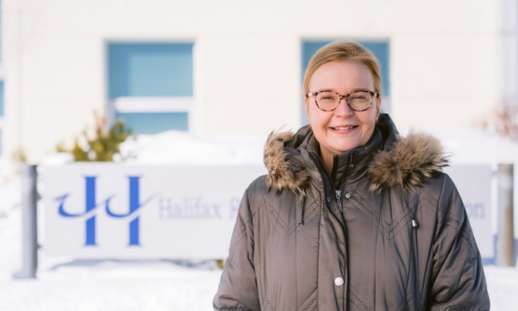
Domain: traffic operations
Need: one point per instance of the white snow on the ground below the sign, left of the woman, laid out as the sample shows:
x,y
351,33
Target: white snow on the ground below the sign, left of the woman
x,y
113,286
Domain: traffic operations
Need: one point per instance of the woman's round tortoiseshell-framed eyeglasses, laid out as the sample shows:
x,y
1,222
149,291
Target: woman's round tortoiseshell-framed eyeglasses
x,y
359,100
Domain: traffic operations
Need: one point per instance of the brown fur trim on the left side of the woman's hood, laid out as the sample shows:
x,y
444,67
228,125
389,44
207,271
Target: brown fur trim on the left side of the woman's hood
x,y
285,168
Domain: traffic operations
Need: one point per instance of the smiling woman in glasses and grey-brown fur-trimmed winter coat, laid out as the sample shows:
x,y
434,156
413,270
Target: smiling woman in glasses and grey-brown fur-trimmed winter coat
x,y
351,216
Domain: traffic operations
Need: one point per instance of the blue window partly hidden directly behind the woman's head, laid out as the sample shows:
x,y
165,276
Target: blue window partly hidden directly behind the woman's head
x,y
380,48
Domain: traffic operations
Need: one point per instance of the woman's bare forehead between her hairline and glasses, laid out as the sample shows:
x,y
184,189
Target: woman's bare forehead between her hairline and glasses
x,y
341,76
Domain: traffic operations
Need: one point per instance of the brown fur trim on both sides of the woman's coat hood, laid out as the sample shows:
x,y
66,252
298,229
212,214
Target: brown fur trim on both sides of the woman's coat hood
x,y
402,161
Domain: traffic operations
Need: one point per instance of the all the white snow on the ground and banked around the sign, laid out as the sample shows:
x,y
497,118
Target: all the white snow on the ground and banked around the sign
x,y
75,284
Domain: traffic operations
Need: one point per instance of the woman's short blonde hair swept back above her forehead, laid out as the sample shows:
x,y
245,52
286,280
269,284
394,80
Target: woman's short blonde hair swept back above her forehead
x,y
343,51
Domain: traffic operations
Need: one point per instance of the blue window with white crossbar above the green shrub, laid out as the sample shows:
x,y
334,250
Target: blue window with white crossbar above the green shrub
x,y
151,85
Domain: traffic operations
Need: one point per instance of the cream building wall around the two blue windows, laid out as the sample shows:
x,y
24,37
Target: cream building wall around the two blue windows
x,y
444,59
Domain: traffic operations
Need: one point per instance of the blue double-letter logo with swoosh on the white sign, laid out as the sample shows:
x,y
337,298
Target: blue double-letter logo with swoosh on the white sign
x,y
91,204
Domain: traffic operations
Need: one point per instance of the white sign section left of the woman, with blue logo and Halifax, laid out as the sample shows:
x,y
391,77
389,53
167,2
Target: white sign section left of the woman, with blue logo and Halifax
x,y
106,210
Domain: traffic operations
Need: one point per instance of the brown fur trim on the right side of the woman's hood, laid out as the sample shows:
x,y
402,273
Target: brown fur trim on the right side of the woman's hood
x,y
412,160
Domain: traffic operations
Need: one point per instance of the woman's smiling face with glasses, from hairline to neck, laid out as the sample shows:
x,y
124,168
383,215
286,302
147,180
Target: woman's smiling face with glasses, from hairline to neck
x,y
342,127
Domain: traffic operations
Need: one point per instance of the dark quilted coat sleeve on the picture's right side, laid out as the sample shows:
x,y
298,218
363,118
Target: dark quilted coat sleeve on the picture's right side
x,y
458,281
